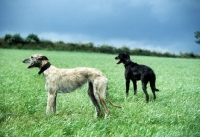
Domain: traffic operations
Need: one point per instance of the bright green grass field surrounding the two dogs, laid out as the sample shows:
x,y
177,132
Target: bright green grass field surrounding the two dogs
x,y
175,113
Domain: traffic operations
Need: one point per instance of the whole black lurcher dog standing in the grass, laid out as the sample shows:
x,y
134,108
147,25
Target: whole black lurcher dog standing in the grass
x,y
135,72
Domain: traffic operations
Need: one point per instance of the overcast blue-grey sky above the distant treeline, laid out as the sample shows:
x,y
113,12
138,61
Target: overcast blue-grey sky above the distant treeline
x,y
161,25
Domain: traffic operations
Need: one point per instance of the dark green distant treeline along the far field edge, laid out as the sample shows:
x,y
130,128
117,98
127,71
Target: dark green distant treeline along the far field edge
x,y
33,42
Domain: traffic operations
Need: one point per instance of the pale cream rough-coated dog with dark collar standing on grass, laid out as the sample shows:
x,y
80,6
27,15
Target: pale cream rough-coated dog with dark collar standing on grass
x,y
67,80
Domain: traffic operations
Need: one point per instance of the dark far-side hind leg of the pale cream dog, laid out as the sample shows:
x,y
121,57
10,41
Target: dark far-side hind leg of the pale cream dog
x,y
94,100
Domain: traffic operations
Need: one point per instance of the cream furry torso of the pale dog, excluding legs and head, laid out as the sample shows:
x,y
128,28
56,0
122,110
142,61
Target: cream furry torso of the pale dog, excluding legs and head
x,y
67,80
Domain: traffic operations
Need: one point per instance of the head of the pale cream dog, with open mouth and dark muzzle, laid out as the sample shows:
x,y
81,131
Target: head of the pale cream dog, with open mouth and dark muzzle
x,y
35,60
